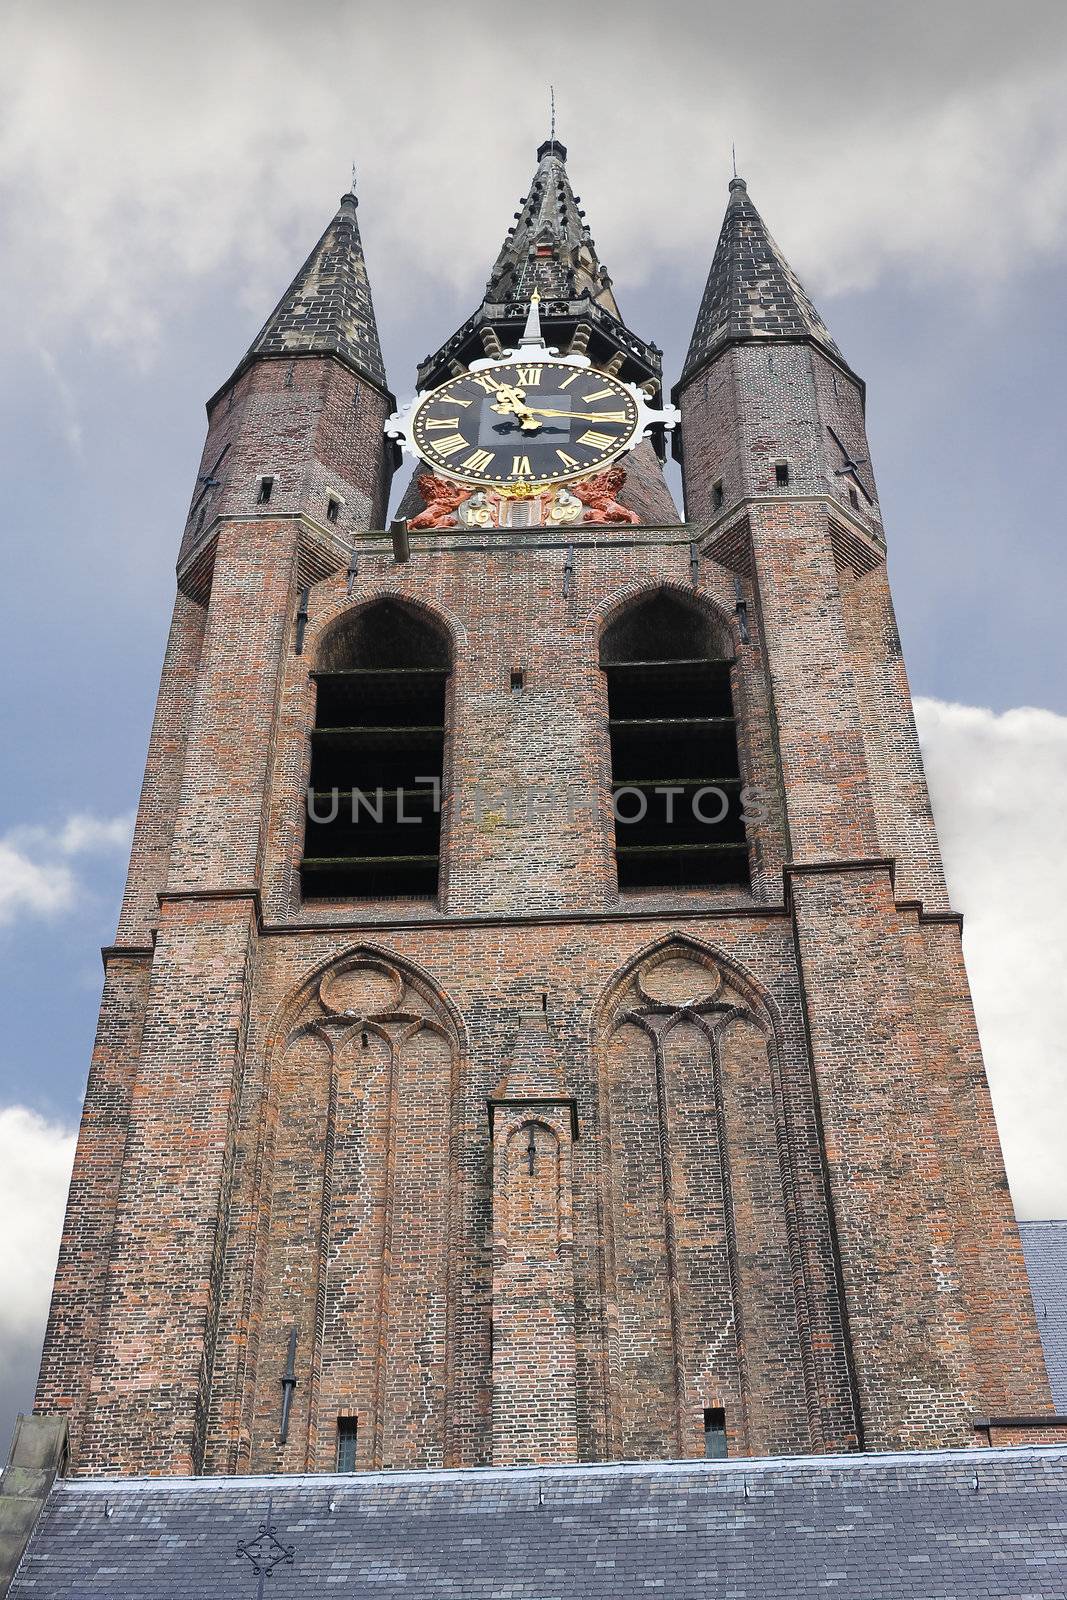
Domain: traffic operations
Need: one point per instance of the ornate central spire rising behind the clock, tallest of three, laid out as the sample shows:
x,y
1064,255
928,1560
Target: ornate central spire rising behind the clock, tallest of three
x,y
549,249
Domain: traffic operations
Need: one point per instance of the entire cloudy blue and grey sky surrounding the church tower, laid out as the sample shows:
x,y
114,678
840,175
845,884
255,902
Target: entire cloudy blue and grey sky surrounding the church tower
x,y
166,169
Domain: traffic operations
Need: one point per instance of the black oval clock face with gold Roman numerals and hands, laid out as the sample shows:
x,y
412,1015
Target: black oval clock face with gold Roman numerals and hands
x,y
526,423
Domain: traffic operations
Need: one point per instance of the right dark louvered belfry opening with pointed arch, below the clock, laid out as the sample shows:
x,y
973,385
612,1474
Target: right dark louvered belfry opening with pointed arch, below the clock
x,y
674,750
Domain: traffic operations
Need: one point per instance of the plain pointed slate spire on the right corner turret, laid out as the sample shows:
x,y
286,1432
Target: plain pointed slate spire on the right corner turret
x,y
753,292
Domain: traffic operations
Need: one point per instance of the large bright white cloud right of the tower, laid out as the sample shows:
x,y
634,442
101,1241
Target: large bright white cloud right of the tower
x,y
999,785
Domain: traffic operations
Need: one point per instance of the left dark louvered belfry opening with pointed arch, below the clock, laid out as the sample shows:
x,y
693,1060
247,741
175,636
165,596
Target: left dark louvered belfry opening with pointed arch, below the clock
x,y
374,815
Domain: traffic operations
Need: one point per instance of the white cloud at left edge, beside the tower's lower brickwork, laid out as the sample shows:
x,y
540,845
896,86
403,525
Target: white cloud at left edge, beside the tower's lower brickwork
x,y
36,1161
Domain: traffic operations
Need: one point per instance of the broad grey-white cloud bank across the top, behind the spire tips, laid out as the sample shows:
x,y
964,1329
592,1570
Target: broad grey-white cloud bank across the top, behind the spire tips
x,y
146,146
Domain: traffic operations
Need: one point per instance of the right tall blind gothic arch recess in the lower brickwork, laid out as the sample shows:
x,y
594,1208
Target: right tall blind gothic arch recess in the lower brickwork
x,y
700,1298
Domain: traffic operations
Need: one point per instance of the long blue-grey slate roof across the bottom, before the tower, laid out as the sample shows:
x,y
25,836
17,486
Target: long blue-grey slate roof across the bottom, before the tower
x,y
949,1524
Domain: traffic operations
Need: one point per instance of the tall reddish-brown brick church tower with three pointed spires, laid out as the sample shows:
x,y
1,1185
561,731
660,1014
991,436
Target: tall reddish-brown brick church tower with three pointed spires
x,y
481,1126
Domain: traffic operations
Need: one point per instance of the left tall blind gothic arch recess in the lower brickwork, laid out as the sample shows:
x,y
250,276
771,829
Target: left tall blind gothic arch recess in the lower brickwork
x,y
356,1255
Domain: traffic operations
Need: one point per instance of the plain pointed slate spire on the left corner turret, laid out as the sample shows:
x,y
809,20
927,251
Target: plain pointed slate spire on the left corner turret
x,y
327,308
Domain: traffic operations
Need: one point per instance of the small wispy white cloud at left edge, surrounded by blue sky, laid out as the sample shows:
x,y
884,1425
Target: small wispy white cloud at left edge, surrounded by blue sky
x,y
34,874
